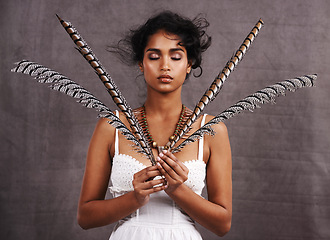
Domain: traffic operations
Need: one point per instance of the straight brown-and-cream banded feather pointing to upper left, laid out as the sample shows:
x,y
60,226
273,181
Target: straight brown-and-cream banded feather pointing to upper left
x,y
113,90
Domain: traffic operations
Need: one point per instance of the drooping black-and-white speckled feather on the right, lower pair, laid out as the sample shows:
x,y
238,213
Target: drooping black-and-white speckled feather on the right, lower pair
x,y
266,95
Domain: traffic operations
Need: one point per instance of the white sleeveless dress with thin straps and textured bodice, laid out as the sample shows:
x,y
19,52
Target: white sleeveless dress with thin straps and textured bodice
x,y
160,218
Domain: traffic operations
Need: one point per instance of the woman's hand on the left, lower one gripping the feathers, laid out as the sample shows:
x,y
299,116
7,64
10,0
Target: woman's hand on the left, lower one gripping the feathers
x,y
144,184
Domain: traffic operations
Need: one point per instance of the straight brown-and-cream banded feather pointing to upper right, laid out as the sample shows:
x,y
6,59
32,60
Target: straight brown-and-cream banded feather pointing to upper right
x,y
218,82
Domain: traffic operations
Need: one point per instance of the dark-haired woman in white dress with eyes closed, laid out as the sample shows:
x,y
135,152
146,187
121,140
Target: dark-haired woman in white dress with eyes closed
x,y
161,201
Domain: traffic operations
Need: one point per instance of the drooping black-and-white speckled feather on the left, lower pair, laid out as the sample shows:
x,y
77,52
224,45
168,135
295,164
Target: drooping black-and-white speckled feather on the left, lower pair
x,y
63,84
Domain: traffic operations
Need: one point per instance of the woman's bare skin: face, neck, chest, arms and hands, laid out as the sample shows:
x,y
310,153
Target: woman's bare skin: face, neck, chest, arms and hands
x,y
164,66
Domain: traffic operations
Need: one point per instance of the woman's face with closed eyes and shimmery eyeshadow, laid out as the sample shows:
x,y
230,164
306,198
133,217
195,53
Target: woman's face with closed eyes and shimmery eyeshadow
x,y
165,63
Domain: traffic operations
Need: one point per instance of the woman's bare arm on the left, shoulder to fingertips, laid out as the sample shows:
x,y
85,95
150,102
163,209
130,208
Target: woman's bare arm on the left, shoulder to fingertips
x,y
93,210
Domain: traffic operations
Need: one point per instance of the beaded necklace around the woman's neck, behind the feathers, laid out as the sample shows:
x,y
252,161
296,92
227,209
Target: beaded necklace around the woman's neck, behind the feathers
x,y
141,116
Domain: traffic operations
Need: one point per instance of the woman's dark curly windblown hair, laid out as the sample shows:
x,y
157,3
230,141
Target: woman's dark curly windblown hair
x,y
191,32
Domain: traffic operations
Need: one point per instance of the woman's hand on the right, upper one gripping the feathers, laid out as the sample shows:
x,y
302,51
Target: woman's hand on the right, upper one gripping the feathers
x,y
175,172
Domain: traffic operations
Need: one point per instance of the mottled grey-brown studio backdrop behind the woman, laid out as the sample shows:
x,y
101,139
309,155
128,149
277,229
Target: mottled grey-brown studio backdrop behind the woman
x,y
280,152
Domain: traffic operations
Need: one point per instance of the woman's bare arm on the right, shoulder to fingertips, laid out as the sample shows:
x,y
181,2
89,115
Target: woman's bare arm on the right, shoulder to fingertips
x,y
214,213
